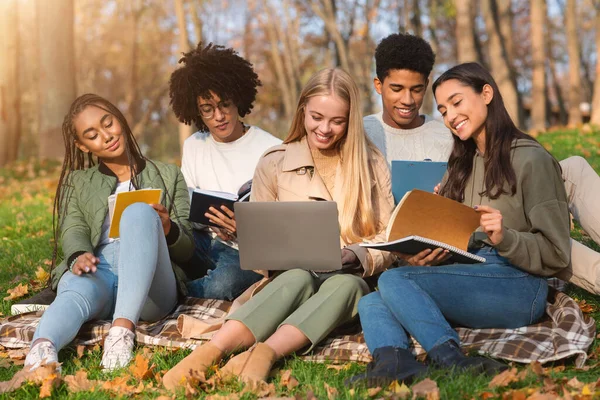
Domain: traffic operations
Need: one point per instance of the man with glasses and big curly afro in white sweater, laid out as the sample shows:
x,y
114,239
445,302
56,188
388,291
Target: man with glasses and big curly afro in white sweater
x,y
215,88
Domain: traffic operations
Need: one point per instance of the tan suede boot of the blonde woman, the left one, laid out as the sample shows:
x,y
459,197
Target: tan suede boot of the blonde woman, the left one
x,y
197,361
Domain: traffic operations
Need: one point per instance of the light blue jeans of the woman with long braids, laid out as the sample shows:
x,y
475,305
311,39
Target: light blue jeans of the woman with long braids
x,y
134,280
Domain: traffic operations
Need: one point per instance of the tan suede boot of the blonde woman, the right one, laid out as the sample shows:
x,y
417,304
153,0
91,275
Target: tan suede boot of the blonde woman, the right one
x,y
252,365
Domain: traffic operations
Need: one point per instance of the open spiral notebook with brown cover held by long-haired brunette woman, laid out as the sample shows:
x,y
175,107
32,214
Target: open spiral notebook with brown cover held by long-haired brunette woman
x,y
424,220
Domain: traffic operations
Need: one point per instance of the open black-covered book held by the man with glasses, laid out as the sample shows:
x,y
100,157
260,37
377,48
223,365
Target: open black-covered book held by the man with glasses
x,y
203,199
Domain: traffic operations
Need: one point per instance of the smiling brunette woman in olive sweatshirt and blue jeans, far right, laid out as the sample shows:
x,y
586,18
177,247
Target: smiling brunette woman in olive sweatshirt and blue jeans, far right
x,y
516,186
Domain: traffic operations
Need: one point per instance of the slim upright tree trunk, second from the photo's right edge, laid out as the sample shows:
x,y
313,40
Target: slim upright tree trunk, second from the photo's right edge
x,y
574,64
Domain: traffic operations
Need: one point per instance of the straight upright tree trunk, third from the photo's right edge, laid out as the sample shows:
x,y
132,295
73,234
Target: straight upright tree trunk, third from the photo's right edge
x,y
538,49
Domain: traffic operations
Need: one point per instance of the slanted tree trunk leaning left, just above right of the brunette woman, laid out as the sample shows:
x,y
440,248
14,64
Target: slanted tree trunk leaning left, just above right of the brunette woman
x,y
500,67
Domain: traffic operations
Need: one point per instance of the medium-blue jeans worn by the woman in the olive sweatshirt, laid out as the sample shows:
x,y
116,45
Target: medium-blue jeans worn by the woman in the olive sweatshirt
x,y
426,302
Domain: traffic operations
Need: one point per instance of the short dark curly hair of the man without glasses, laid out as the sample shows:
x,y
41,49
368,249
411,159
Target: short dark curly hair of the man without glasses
x,y
403,51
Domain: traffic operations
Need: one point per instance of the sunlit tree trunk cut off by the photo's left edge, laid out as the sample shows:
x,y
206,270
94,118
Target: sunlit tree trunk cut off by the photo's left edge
x,y
10,127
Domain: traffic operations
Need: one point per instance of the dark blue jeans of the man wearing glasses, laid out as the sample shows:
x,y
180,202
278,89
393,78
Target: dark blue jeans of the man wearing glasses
x,y
225,280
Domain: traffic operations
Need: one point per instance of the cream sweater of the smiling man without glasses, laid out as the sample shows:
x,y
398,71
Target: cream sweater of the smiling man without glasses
x,y
432,140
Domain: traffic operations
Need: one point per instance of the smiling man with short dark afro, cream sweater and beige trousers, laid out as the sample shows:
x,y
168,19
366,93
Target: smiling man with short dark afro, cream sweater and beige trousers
x,y
403,64
